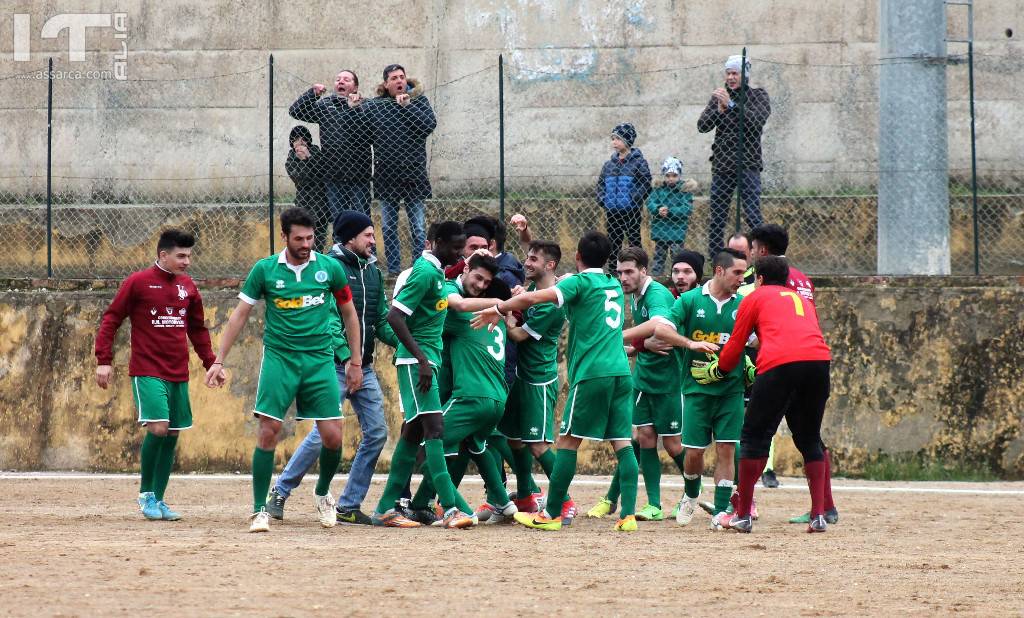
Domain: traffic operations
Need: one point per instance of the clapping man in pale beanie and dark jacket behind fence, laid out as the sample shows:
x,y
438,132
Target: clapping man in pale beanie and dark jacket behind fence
x,y
730,169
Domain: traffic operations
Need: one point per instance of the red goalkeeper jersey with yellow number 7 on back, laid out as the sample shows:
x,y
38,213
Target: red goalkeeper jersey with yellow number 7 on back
x,y
786,324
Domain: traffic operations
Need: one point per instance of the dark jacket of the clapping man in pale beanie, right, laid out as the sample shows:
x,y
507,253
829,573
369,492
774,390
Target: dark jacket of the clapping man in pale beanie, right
x,y
727,126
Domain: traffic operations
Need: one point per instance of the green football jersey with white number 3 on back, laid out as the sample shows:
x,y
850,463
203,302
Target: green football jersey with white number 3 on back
x,y
478,356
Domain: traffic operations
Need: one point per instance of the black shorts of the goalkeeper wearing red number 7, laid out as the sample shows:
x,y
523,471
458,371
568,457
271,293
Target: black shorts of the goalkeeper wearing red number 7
x,y
797,391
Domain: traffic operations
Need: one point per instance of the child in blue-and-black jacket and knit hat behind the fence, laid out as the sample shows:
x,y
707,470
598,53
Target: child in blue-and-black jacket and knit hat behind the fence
x,y
622,190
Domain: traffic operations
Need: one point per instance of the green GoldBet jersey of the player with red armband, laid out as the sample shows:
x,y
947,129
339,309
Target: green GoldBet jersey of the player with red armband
x,y
302,315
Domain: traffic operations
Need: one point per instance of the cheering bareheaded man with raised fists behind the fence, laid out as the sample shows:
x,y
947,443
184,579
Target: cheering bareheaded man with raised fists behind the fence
x,y
346,139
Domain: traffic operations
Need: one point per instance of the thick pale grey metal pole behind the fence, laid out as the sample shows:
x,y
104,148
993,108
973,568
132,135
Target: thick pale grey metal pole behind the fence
x,y
914,165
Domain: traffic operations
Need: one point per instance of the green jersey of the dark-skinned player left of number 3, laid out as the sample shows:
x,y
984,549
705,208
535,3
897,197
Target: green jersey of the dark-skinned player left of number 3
x,y
419,294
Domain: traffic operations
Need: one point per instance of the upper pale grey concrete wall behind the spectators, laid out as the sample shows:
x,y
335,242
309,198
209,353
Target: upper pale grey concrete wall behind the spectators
x,y
575,70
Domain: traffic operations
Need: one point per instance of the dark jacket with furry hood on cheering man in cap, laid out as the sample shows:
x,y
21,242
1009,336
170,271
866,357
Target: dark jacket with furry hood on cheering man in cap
x,y
401,145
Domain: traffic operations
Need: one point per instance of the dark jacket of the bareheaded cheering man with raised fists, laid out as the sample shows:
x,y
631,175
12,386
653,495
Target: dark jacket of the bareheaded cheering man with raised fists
x,y
346,135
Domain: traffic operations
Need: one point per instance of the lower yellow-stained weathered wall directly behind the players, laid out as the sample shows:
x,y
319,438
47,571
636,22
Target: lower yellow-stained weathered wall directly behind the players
x,y
923,366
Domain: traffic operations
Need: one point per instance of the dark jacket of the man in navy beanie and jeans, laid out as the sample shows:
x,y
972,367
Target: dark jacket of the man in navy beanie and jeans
x,y
369,298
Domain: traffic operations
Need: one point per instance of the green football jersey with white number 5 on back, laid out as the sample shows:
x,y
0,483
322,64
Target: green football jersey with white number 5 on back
x,y
594,307
